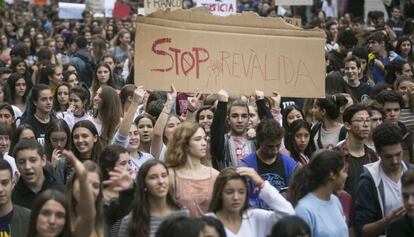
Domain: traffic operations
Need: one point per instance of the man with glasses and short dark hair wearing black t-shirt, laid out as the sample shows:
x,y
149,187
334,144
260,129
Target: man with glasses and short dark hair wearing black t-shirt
x,y
357,121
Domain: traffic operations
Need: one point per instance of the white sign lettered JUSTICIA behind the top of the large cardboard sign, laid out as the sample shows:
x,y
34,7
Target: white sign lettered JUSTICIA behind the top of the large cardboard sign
x,y
219,7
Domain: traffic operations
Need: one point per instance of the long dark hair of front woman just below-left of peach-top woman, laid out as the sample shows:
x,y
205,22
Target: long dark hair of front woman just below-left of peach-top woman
x,y
140,221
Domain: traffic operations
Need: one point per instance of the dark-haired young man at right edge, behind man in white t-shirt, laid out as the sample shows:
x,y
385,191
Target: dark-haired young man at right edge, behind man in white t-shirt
x,y
392,103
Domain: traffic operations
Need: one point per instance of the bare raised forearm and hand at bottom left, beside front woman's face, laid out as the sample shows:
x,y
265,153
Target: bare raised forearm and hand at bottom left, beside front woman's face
x,y
87,212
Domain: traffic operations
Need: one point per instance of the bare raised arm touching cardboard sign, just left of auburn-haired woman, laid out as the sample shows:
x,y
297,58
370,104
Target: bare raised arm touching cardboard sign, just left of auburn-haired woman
x,y
156,143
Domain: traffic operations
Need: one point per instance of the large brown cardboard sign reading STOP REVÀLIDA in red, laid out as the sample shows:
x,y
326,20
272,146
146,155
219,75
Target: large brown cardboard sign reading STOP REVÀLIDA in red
x,y
195,50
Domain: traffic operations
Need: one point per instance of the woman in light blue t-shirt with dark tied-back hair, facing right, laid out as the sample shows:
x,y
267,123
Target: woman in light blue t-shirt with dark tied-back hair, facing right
x,y
312,191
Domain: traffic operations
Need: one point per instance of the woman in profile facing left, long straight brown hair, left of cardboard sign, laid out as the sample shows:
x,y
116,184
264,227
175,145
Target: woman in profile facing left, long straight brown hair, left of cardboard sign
x,y
107,112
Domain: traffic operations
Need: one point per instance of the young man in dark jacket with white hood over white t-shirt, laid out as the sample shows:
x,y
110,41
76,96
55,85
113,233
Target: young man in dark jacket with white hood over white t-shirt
x,y
378,199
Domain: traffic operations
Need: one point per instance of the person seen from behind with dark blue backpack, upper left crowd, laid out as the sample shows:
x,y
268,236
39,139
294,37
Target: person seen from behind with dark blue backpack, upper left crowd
x,y
83,61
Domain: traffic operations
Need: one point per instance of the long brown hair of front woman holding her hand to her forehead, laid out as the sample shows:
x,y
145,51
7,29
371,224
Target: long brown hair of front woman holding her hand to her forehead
x,y
225,176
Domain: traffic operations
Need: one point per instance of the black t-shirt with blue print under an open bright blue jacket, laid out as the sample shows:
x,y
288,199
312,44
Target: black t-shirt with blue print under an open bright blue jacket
x,y
273,173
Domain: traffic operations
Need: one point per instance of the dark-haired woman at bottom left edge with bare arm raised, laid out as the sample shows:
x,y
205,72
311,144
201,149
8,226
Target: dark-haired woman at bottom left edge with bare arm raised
x,y
51,212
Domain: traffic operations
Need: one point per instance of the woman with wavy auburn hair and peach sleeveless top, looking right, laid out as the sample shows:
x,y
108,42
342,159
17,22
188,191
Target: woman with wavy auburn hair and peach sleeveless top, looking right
x,y
192,181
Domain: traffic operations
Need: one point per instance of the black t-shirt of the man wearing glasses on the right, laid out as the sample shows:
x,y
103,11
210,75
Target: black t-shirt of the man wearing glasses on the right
x,y
355,169
